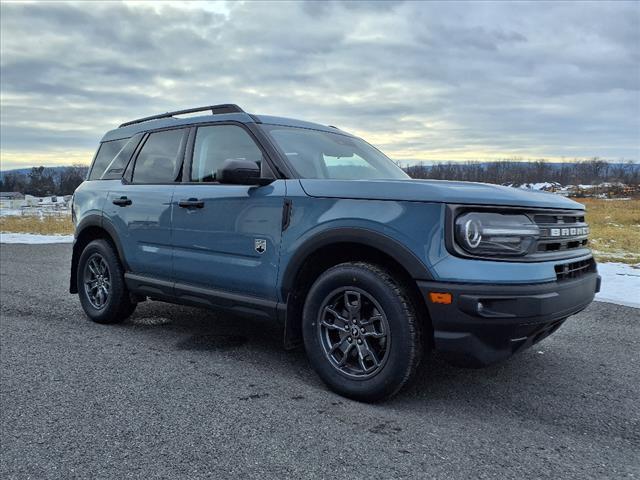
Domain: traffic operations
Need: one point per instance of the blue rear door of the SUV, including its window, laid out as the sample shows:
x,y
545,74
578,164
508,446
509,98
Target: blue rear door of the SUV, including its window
x,y
140,207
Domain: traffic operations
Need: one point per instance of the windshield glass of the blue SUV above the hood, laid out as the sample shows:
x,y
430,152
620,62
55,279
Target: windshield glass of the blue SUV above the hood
x,y
319,154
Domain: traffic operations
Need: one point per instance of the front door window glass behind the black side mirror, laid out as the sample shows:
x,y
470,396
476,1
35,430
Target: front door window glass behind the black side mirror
x,y
216,143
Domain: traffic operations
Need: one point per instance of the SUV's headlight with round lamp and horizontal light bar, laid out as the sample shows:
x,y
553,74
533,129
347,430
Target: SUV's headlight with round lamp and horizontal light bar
x,y
495,234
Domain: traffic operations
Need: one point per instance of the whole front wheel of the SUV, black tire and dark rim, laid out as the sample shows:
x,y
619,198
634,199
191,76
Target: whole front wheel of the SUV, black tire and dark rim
x,y
384,349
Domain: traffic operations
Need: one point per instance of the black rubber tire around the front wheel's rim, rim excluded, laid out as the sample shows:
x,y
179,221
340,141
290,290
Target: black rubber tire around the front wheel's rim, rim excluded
x,y
398,362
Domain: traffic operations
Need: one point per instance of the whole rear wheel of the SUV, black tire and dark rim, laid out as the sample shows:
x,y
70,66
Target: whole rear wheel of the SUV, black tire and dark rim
x,y
109,302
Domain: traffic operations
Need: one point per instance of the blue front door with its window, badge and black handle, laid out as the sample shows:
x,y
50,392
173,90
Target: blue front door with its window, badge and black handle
x,y
226,237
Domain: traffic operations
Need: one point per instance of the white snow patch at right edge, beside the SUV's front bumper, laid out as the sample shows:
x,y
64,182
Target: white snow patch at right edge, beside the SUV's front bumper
x,y
620,284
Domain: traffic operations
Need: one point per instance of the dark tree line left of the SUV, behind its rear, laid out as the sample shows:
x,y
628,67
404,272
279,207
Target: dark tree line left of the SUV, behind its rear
x,y
42,181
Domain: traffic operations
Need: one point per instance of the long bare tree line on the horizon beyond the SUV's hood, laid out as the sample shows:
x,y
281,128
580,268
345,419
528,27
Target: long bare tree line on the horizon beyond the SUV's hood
x,y
587,172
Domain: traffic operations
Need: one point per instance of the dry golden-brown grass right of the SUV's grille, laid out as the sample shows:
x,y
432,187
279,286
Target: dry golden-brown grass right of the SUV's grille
x,y
615,229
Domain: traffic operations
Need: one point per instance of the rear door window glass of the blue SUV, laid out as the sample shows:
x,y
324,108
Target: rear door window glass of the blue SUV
x,y
158,161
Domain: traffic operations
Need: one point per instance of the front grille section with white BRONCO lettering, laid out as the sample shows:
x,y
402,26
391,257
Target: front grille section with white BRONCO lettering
x,y
560,232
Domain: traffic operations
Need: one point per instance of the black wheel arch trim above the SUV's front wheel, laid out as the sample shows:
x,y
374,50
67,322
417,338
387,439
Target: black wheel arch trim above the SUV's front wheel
x,y
370,238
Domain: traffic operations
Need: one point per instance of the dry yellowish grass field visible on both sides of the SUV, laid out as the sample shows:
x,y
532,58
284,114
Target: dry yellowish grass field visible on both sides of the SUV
x,y
615,228
